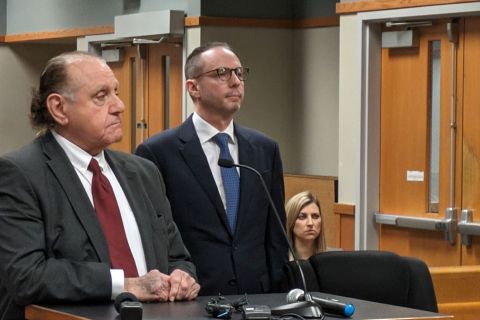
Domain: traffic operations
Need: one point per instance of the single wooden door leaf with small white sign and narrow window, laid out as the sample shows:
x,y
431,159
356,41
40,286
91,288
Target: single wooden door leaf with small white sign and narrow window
x,y
406,132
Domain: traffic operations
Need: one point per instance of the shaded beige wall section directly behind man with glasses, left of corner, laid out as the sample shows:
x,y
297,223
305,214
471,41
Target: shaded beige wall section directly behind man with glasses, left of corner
x,y
268,91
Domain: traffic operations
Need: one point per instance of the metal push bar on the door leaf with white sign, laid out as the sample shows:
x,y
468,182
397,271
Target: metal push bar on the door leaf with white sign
x,y
447,224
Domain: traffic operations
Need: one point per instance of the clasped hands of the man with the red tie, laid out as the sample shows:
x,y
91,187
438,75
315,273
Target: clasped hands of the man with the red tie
x,y
157,286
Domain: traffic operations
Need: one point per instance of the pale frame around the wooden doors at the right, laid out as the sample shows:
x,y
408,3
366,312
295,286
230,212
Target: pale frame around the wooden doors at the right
x,y
366,102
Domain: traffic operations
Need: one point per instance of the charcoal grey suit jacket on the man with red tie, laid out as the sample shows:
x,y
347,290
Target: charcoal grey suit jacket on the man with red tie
x,y
52,248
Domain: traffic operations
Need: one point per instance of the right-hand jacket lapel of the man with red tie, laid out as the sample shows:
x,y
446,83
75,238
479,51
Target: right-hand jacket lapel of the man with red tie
x,y
132,188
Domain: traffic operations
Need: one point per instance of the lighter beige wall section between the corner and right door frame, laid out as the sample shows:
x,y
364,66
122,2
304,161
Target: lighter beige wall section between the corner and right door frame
x,y
315,100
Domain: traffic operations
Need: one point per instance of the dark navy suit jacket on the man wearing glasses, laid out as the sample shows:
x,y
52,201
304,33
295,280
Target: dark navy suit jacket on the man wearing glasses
x,y
250,260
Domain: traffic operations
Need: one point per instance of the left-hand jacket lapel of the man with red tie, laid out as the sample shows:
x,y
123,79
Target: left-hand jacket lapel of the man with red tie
x,y
74,191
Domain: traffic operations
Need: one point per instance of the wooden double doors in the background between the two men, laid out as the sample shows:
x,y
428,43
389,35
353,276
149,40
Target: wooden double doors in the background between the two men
x,y
150,79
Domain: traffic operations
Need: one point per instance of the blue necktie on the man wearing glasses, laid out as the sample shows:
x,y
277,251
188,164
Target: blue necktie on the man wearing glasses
x,y
231,180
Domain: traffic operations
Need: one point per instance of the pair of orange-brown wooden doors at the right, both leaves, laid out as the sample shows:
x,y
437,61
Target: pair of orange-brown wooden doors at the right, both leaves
x,y
407,125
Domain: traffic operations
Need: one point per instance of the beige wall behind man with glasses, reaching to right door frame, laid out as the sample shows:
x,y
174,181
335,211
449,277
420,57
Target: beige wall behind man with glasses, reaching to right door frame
x,y
292,91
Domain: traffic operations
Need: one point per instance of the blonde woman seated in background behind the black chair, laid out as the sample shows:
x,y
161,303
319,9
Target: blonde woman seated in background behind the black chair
x,y
304,225
